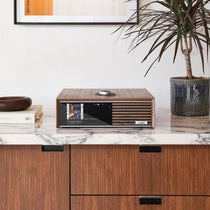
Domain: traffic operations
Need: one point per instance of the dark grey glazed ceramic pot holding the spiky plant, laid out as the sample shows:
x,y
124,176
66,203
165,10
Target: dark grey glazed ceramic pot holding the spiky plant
x,y
190,97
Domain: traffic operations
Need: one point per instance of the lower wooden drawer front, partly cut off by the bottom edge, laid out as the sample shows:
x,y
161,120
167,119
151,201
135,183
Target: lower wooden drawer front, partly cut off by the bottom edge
x,y
133,203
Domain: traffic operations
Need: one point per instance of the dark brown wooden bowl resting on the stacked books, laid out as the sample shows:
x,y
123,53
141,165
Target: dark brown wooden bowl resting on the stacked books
x,y
14,103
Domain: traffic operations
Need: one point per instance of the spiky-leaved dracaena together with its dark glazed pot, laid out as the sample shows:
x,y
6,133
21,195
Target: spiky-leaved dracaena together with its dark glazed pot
x,y
182,24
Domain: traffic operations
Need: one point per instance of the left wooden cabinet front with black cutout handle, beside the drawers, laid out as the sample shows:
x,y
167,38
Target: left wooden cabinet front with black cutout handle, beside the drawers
x,y
33,180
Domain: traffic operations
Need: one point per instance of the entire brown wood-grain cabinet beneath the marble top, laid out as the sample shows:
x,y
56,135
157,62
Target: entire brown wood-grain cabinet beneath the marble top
x,y
105,177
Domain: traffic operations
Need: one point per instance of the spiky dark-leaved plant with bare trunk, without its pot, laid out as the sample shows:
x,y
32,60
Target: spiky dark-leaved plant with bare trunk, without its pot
x,y
178,23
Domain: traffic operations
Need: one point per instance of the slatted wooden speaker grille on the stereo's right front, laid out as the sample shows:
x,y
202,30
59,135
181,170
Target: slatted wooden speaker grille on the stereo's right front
x,y
133,113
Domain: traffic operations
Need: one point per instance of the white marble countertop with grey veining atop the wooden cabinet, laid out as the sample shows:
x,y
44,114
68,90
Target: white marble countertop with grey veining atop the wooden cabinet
x,y
169,129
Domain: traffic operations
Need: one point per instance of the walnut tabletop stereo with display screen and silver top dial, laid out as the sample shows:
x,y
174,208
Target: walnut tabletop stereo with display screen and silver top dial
x,y
105,108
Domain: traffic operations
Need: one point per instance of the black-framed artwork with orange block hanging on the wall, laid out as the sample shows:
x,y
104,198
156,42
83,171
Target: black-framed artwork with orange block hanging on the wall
x,y
75,11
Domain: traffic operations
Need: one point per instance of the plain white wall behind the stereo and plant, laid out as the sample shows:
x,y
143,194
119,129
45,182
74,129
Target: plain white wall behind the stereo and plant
x,y
38,61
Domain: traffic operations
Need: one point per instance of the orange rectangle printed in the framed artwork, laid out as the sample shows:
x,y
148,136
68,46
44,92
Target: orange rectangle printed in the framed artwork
x,y
38,7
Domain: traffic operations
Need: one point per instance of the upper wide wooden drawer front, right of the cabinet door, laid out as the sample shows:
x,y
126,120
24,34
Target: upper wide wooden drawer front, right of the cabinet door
x,y
125,170
